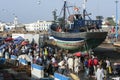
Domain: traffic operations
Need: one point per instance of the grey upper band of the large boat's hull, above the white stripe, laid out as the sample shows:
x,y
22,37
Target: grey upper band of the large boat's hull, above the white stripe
x,y
85,35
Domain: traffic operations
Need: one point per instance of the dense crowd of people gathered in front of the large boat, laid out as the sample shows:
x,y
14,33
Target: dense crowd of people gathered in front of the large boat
x,y
59,60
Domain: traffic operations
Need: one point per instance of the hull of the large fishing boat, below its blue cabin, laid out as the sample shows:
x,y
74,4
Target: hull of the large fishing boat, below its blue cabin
x,y
93,39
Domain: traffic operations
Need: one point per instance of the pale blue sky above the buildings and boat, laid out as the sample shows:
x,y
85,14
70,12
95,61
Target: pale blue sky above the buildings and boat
x,y
28,11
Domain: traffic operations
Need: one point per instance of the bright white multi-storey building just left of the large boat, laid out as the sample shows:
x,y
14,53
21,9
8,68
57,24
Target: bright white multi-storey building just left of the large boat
x,y
38,26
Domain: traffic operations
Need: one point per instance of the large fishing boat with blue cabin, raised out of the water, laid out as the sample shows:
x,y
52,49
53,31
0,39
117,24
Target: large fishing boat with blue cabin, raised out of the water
x,y
77,30
